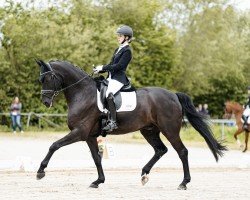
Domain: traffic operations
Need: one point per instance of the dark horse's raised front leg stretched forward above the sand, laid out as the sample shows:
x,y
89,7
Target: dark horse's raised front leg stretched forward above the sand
x,y
72,137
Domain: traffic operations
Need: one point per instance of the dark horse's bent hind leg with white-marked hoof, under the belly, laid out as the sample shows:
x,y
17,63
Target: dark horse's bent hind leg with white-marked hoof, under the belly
x,y
152,135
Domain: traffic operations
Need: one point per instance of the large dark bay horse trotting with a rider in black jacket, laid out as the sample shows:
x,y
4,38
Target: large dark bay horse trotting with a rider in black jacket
x,y
157,110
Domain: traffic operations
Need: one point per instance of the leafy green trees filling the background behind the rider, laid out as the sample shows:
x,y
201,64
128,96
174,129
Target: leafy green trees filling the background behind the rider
x,y
190,46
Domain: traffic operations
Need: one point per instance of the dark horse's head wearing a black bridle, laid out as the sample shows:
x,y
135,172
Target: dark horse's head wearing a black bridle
x,y
51,83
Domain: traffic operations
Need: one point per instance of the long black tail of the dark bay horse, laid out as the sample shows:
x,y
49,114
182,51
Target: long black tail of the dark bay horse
x,y
199,122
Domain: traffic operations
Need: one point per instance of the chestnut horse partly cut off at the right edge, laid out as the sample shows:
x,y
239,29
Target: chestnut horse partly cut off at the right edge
x,y
237,109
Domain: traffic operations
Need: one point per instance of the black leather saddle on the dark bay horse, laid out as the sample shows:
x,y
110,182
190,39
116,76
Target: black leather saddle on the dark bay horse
x,y
102,86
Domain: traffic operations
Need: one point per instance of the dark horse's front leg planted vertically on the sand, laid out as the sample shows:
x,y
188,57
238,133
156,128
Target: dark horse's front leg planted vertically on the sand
x,y
93,146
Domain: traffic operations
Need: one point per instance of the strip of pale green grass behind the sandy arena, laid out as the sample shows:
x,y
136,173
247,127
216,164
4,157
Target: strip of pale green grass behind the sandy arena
x,y
189,136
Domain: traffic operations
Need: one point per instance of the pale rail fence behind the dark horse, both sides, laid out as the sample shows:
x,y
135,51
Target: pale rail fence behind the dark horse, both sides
x,y
42,116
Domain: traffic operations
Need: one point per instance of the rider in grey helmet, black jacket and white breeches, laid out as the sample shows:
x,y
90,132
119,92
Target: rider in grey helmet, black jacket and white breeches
x,y
116,71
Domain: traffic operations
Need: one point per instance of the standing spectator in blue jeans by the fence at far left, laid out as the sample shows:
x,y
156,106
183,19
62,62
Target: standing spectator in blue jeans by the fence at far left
x,y
15,113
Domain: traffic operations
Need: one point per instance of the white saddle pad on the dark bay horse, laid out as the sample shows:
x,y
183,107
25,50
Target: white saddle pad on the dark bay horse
x,y
128,102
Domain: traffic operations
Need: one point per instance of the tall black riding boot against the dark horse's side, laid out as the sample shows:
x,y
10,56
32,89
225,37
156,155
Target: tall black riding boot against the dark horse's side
x,y
111,125
